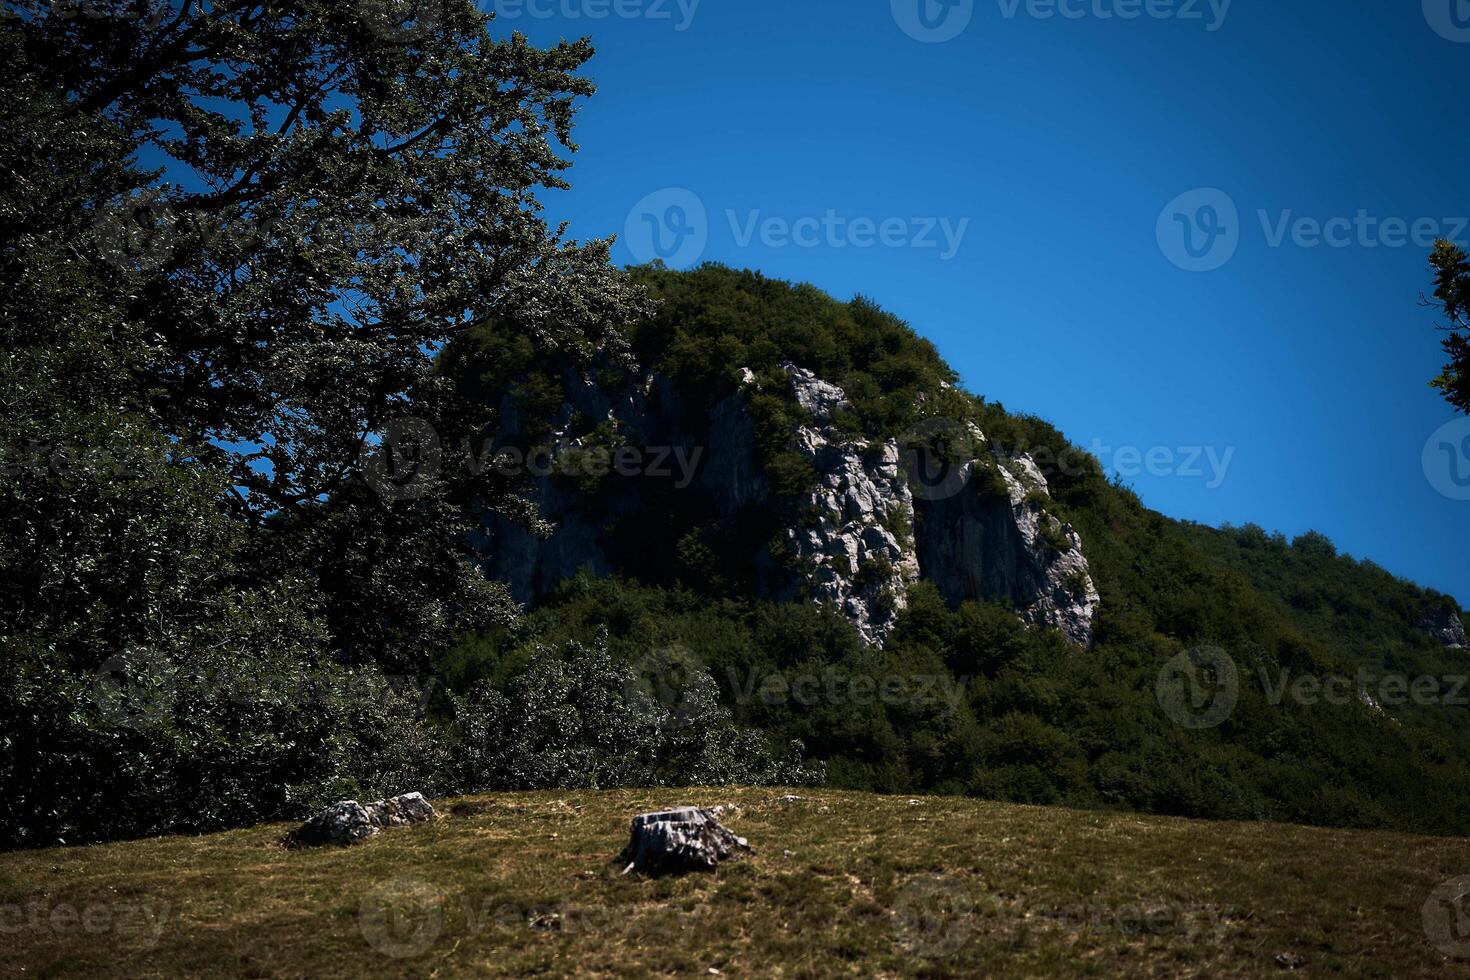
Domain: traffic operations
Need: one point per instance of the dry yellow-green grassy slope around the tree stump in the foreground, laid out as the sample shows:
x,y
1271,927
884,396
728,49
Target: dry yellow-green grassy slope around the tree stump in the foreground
x,y
840,885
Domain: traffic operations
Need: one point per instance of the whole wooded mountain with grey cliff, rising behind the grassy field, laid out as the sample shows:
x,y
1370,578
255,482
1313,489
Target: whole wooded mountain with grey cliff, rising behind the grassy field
x,y
959,697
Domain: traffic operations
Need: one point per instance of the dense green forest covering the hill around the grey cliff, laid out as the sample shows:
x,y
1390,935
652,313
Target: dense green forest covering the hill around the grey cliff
x,y
983,706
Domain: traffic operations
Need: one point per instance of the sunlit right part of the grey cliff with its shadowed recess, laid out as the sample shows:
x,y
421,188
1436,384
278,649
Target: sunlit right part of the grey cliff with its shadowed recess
x,y
862,555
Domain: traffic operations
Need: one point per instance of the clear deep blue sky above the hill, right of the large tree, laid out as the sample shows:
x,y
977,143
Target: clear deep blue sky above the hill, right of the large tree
x,y
1062,142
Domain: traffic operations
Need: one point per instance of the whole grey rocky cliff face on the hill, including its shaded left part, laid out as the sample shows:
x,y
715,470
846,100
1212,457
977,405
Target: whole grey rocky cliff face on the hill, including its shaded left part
x,y
878,516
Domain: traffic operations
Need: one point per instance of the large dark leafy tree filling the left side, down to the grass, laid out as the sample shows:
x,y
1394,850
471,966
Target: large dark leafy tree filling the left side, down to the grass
x,y
233,239
